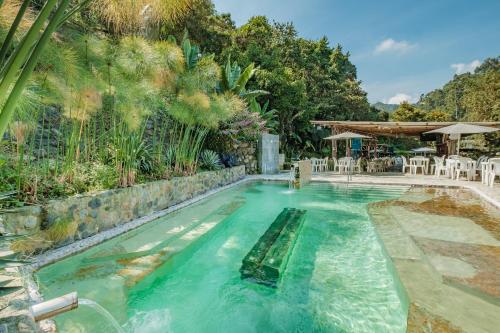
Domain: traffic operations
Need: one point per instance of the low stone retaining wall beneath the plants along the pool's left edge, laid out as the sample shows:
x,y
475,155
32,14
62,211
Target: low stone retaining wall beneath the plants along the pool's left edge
x,y
82,216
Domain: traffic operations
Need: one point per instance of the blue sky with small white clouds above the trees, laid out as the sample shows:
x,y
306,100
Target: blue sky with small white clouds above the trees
x,y
401,48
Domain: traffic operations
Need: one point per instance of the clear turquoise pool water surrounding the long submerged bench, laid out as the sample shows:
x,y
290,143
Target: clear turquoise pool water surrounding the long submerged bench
x,y
180,273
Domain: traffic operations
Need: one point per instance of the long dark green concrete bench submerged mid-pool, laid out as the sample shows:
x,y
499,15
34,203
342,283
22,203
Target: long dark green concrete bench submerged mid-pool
x,y
267,260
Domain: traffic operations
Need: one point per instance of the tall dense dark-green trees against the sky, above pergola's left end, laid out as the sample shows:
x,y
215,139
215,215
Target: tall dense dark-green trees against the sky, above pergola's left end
x,y
306,79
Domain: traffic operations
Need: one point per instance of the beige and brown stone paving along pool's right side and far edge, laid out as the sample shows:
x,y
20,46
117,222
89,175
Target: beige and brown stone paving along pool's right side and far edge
x,y
445,245
